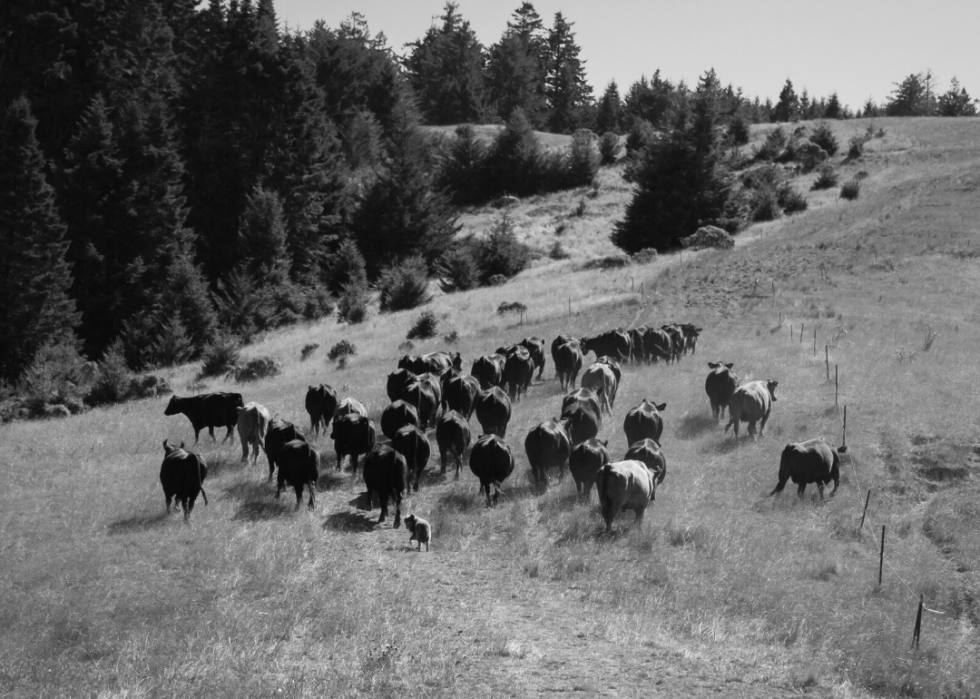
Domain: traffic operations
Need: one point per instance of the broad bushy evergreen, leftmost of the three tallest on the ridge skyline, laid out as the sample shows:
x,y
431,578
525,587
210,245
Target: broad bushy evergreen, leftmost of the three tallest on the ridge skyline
x,y
445,69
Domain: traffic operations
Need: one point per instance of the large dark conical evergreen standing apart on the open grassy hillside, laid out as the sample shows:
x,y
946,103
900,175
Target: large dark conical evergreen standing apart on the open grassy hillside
x,y
684,179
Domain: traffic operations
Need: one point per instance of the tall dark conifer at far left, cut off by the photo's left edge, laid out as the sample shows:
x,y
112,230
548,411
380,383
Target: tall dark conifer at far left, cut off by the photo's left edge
x,y
35,308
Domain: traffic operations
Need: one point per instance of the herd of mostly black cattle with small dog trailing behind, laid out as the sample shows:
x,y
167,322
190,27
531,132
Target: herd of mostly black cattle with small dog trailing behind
x,y
431,391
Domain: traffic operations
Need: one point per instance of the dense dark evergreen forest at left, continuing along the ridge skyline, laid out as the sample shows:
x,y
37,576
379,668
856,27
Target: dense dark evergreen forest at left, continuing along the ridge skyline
x,y
171,173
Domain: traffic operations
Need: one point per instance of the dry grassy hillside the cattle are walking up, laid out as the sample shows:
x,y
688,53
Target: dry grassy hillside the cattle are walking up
x,y
722,591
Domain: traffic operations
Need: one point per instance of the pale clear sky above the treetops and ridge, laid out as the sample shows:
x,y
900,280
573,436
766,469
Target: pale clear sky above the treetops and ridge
x,y
858,48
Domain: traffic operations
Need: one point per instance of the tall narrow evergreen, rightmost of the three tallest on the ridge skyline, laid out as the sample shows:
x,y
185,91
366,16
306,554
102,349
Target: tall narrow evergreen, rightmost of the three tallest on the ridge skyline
x,y
569,95
